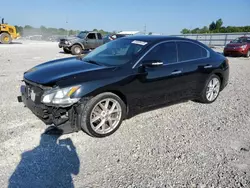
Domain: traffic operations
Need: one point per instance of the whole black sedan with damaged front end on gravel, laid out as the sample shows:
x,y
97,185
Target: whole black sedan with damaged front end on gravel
x,y
120,79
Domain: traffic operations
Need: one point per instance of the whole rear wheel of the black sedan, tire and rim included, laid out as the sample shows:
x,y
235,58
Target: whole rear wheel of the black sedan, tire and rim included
x,y
204,98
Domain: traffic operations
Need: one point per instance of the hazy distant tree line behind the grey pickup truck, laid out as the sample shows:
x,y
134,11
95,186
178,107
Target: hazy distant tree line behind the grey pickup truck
x,y
28,30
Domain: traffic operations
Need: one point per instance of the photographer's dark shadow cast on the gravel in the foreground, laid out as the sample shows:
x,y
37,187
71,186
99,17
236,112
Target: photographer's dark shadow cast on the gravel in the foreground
x,y
50,164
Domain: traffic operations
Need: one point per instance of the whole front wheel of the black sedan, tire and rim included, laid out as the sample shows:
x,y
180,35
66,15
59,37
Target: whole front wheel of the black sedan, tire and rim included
x,y
89,112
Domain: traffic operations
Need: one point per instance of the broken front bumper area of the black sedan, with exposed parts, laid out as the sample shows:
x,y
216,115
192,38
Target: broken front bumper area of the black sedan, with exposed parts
x,y
64,119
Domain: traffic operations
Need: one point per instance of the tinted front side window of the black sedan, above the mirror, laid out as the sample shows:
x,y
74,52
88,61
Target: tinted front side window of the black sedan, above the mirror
x,y
165,52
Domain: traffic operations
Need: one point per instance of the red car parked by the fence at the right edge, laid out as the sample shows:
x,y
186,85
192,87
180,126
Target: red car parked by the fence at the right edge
x,y
238,47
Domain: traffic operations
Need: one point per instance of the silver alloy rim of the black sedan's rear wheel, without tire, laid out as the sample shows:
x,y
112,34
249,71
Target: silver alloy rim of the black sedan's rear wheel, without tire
x,y
213,89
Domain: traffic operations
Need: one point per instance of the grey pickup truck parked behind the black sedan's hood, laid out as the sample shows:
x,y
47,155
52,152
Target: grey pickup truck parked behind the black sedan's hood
x,y
83,41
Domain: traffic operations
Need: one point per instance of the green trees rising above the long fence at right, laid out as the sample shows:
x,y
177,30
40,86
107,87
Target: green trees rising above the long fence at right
x,y
216,27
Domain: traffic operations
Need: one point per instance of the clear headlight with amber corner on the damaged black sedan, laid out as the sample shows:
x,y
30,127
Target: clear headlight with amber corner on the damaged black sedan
x,y
61,96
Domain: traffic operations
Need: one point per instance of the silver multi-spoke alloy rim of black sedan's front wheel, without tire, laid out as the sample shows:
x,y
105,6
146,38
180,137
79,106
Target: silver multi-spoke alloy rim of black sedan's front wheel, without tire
x,y
105,116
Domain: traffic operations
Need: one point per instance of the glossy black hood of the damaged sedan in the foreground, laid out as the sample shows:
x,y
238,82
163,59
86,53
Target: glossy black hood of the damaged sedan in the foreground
x,y
56,70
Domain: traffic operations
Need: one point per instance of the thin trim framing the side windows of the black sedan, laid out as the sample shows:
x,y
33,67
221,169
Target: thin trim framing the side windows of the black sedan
x,y
208,52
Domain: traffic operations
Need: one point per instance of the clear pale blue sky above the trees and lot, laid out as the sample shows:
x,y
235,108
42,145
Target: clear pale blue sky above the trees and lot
x,y
159,16
